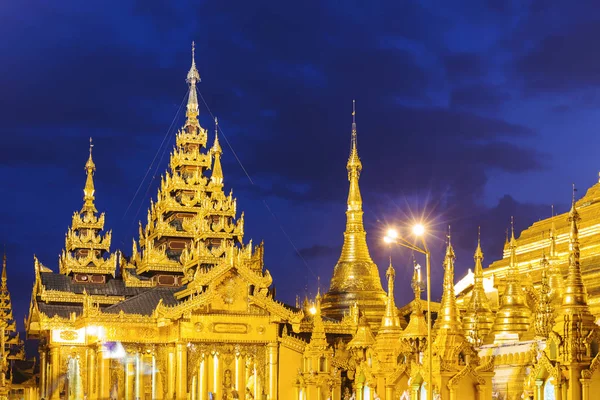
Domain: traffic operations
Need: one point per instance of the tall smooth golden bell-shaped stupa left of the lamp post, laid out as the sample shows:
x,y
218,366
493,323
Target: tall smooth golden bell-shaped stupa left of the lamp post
x,y
355,277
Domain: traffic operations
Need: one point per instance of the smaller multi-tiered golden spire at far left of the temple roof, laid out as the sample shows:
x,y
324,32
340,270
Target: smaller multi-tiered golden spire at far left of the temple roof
x,y
86,249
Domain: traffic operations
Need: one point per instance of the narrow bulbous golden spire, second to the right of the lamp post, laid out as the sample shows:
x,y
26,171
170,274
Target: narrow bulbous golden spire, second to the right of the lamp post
x,y
478,319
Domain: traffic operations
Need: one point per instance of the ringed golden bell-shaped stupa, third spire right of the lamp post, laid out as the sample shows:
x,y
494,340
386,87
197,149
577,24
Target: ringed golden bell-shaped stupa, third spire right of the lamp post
x,y
513,316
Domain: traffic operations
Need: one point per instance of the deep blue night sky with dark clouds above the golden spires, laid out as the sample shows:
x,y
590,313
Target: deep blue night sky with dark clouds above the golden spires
x,y
468,112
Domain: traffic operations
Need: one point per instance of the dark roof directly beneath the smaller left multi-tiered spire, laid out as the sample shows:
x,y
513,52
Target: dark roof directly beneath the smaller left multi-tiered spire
x,y
64,283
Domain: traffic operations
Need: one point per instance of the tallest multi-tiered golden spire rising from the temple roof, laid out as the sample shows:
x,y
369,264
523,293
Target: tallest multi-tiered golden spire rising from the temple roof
x,y
192,226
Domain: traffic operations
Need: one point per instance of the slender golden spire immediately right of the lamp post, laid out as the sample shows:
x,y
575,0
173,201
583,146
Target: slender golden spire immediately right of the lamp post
x,y
448,318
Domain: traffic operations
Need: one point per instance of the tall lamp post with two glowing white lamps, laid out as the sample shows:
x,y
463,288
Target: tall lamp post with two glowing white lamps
x,y
418,230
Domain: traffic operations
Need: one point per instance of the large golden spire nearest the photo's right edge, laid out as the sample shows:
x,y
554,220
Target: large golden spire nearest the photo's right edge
x,y
574,321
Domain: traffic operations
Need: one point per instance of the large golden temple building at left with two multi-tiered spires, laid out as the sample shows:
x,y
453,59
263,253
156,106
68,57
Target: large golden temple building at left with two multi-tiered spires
x,y
191,314
